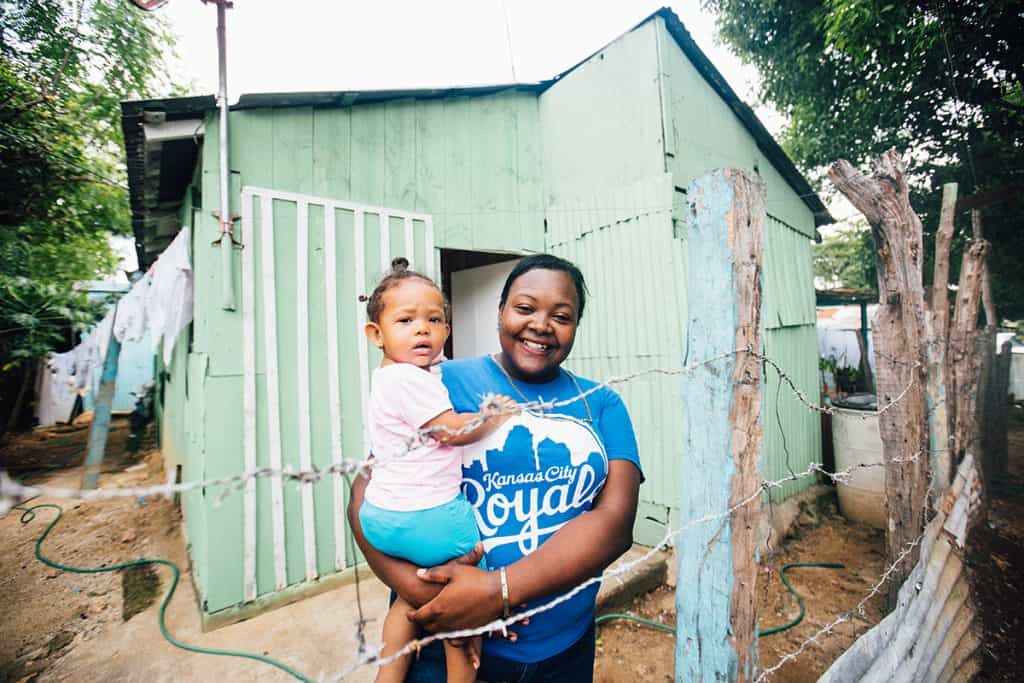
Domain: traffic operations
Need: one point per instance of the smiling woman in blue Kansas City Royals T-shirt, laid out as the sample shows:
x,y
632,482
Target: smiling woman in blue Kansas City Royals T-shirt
x,y
529,484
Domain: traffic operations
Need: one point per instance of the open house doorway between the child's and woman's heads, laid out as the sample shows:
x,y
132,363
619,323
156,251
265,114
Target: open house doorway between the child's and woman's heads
x,y
473,282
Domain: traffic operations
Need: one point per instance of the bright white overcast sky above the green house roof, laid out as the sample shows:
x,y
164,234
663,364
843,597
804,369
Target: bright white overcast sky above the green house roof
x,y
296,46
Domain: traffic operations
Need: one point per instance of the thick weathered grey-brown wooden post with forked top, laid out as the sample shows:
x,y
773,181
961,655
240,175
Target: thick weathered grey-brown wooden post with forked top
x,y
900,353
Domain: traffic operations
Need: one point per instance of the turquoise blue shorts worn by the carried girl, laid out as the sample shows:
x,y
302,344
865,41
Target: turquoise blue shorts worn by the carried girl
x,y
425,538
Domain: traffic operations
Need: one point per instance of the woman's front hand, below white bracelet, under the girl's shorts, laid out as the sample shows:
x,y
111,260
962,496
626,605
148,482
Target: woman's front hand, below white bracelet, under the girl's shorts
x,y
471,599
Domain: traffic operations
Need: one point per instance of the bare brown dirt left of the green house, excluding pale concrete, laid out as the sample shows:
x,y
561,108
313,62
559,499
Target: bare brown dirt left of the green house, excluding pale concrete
x,y
48,611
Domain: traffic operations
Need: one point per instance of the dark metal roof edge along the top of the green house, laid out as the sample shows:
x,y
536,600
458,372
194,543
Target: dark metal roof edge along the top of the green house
x,y
179,158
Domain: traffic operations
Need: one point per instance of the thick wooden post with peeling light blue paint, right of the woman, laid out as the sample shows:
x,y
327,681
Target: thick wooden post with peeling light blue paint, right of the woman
x,y
716,611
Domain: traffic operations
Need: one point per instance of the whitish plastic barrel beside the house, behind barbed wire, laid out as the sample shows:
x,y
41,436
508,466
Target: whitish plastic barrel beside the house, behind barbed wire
x,y
857,442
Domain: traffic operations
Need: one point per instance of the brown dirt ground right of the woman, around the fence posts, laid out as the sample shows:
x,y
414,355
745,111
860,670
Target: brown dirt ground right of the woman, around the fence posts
x,y
631,652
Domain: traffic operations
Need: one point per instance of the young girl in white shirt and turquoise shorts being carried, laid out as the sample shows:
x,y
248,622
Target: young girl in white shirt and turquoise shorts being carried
x,y
414,508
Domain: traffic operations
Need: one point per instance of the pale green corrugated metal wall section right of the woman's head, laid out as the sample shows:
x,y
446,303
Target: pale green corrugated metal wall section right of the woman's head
x,y
624,244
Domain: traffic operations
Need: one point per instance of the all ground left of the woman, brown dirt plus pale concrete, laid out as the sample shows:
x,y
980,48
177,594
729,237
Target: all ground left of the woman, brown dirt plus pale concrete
x,y
58,626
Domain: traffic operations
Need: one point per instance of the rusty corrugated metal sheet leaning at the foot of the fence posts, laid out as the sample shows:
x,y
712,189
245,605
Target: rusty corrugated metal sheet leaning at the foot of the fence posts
x,y
931,635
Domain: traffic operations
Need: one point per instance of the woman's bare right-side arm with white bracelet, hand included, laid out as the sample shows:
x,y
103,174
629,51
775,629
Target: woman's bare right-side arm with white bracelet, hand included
x,y
582,549
